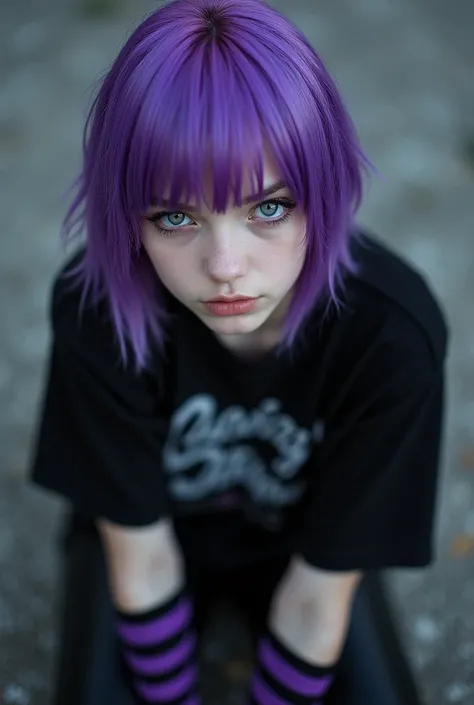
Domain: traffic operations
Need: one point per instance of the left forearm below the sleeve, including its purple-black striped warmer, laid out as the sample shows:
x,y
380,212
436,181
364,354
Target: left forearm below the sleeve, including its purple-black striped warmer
x,y
154,614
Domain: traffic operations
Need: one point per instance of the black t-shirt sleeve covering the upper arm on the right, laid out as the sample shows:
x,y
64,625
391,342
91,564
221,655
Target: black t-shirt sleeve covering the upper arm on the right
x,y
374,505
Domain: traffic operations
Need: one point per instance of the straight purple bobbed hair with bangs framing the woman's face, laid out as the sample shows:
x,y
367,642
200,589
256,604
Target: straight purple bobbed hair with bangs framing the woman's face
x,y
195,85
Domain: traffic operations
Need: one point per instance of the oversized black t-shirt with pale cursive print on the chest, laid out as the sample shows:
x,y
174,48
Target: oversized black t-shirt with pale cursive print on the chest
x,y
330,451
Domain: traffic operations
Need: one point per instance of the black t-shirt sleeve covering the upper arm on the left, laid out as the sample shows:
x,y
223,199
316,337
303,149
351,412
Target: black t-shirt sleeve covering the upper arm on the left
x,y
100,433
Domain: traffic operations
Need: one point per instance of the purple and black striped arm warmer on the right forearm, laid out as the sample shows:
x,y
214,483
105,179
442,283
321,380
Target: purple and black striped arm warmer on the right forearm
x,y
282,678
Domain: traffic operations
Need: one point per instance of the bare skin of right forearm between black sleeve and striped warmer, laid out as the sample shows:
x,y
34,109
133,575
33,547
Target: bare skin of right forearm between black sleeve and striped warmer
x,y
311,611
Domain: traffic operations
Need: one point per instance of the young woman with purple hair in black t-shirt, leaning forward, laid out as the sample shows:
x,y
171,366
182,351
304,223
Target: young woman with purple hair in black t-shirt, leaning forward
x,y
245,392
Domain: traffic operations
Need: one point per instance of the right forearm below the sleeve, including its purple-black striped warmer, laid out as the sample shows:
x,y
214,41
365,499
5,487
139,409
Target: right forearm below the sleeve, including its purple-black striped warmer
x,y
307,628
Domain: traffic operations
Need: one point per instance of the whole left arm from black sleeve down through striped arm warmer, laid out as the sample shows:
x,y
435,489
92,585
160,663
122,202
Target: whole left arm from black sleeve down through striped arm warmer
x,y
104,423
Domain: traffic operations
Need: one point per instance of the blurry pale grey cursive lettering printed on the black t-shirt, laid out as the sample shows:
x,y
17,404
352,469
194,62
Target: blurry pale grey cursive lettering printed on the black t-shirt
x,y
219,445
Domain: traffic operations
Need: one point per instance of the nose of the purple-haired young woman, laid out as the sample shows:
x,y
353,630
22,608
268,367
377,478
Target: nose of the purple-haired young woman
x,y
225,262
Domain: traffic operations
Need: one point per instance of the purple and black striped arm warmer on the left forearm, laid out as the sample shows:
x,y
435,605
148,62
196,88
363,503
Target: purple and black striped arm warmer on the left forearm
x,y
159,648
